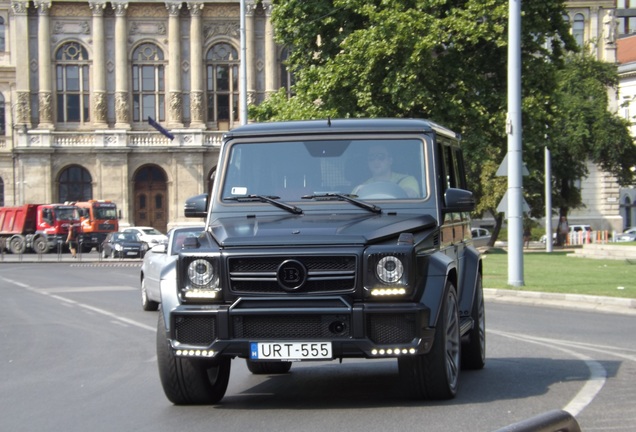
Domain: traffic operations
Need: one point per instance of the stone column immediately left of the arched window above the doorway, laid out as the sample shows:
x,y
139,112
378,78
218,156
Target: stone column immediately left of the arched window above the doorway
x,y
122,104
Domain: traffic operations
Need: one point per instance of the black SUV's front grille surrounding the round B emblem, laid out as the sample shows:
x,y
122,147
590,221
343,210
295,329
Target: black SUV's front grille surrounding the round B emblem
x,y
325,274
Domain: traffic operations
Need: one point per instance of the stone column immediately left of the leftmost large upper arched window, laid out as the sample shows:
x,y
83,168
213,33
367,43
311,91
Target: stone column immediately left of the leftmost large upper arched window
x,y
44,65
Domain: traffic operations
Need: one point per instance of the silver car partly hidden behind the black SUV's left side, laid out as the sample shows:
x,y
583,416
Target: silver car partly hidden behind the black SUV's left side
x,y
159,266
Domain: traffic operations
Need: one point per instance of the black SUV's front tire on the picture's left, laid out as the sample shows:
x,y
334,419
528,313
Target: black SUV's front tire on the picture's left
x,y
188,381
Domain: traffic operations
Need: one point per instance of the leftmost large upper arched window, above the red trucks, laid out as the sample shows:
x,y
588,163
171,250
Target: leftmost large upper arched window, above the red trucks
x,y
72,75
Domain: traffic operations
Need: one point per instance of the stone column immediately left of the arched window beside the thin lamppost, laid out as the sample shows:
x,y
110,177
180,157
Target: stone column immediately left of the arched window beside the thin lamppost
x,y
197,119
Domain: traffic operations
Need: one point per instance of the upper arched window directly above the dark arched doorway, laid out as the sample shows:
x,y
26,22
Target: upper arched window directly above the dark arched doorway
x,y
148,75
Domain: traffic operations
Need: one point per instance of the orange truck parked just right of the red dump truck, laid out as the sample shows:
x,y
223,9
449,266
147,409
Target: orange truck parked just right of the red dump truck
x,y
97,219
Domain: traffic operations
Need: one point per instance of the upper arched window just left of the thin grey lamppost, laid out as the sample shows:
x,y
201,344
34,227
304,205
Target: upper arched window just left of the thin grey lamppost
x,y
222,65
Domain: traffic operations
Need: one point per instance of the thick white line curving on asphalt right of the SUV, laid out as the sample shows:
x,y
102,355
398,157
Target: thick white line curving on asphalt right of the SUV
x,y
594,384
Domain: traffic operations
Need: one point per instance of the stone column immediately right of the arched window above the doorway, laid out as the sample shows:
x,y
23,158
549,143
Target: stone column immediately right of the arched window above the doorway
x,y
175,96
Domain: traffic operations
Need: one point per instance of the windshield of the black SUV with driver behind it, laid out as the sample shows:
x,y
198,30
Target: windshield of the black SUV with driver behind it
x,y
364,168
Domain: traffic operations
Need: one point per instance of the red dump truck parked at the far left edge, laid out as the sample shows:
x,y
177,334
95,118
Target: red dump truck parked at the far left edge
x,y
36,227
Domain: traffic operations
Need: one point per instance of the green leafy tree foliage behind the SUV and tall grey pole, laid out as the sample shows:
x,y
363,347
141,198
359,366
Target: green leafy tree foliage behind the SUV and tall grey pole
x,y
447,60
